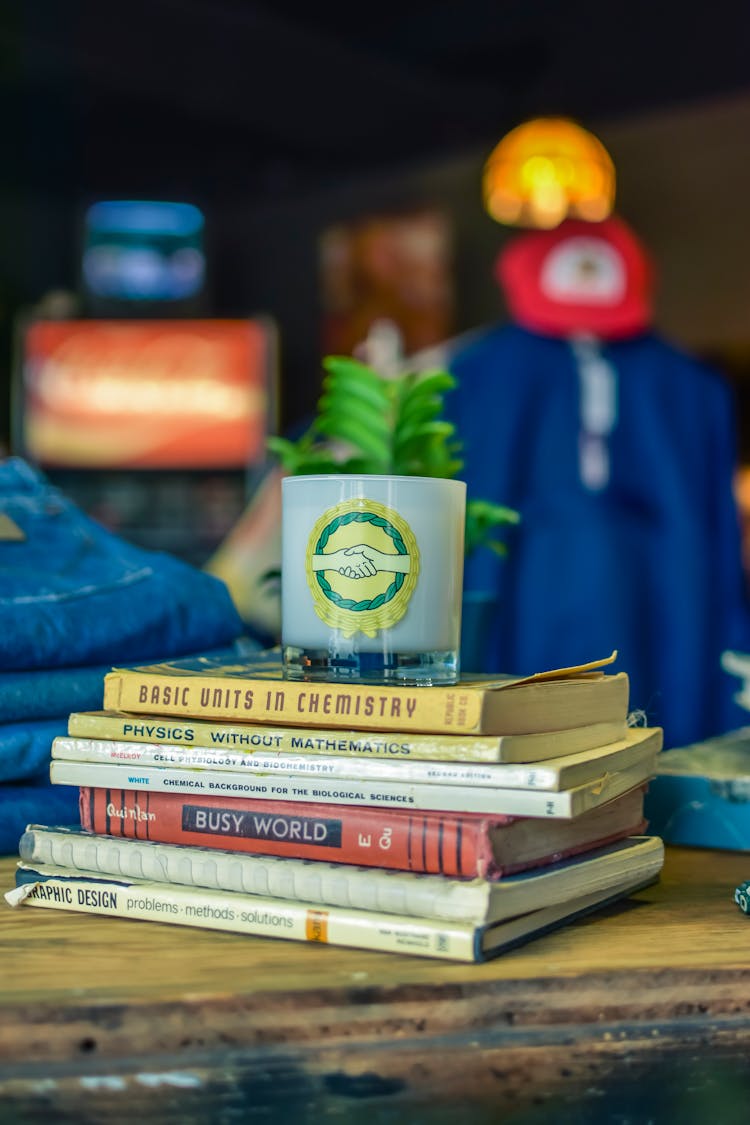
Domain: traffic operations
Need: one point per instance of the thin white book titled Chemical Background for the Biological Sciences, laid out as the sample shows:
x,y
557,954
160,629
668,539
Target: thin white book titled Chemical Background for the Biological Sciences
x,y
364,791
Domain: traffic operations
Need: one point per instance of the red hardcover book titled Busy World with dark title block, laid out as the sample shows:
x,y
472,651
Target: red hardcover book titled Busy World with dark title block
x,y
467,845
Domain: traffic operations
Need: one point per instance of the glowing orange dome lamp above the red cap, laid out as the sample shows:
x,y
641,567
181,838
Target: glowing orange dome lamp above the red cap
x,y
547,170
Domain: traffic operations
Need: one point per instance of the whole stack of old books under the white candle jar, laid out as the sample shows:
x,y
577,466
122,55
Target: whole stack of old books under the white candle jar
x,y
441,822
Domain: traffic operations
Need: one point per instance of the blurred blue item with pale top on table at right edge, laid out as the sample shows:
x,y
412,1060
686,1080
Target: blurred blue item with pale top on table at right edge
x,y
701,794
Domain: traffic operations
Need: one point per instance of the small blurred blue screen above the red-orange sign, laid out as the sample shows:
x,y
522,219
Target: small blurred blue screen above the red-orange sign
x,y
143,251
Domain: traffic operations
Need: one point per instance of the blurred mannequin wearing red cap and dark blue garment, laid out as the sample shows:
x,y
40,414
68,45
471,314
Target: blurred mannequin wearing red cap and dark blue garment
x,y
619,452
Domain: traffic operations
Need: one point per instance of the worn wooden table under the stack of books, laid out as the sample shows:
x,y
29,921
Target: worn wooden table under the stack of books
x,y
640,1014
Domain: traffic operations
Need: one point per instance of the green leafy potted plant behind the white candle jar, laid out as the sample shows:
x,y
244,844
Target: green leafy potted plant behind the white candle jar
x,y
376,426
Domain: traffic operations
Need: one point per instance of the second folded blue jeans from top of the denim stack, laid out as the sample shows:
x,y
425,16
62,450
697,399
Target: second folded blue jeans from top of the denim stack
x,y
48,695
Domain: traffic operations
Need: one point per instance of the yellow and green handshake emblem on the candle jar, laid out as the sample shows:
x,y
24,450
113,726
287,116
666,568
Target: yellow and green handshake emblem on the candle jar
x,y
363,565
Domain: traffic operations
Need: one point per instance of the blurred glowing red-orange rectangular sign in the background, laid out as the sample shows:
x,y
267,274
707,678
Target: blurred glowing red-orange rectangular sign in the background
x,y
147,394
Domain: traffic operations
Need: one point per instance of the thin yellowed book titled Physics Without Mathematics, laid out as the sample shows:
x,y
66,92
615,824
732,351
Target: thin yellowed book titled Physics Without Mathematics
x,y
331,741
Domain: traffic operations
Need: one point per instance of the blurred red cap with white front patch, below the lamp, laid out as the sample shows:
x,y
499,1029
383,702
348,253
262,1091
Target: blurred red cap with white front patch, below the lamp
x,y
581,277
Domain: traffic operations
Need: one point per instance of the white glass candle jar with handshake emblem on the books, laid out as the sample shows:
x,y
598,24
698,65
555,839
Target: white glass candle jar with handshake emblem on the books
x,y
372,578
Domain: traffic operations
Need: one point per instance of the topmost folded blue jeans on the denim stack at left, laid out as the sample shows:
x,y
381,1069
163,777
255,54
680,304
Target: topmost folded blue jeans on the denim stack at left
x,y
74,593
